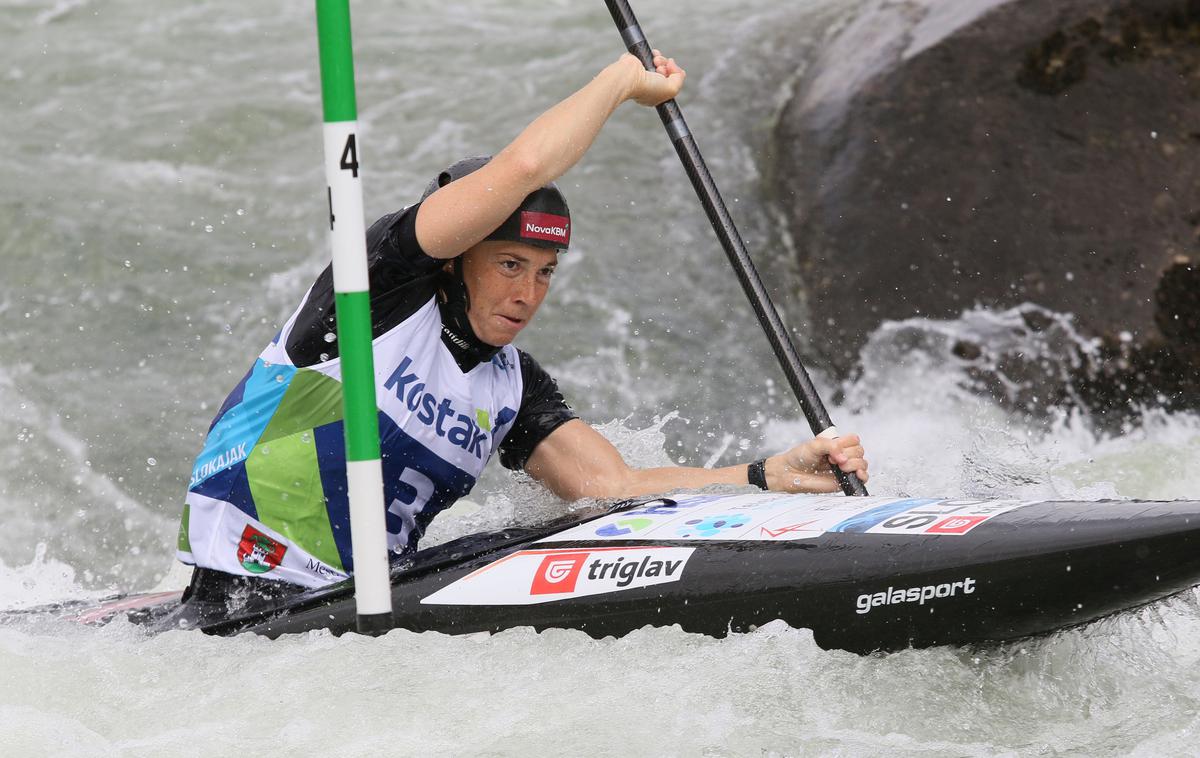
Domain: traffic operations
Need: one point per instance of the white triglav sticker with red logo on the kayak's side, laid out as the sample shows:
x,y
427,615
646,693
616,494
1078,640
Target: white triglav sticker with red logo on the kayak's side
x,y
530,577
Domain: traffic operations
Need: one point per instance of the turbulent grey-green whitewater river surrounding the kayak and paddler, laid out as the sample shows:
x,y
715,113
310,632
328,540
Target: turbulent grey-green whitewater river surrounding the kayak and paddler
x,y
161,212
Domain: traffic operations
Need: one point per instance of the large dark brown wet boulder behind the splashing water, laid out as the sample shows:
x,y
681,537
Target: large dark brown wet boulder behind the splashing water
x,y
945,154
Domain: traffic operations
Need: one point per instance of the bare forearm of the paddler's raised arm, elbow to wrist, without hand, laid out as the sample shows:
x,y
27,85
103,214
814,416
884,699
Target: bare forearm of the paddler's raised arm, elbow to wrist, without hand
x,y
559,139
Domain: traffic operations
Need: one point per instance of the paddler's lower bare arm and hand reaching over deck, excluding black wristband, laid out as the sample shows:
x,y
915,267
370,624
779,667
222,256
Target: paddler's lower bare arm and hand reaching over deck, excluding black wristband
x,y
578,462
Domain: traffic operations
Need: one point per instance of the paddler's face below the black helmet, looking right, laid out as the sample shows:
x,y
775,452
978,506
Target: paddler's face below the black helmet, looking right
x,y
507,282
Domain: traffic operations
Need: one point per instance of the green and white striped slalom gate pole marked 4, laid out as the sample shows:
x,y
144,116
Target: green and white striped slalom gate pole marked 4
x,y
352,303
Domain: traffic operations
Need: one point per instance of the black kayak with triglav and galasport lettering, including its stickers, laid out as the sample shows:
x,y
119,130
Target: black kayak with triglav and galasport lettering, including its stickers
x,y
863,574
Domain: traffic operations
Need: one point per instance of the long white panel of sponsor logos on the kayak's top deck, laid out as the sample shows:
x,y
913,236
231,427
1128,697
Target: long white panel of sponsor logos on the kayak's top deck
x,y
782,518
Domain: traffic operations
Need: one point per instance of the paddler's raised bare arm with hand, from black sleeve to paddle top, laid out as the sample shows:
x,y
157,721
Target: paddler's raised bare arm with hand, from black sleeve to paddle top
x,y
464,213
